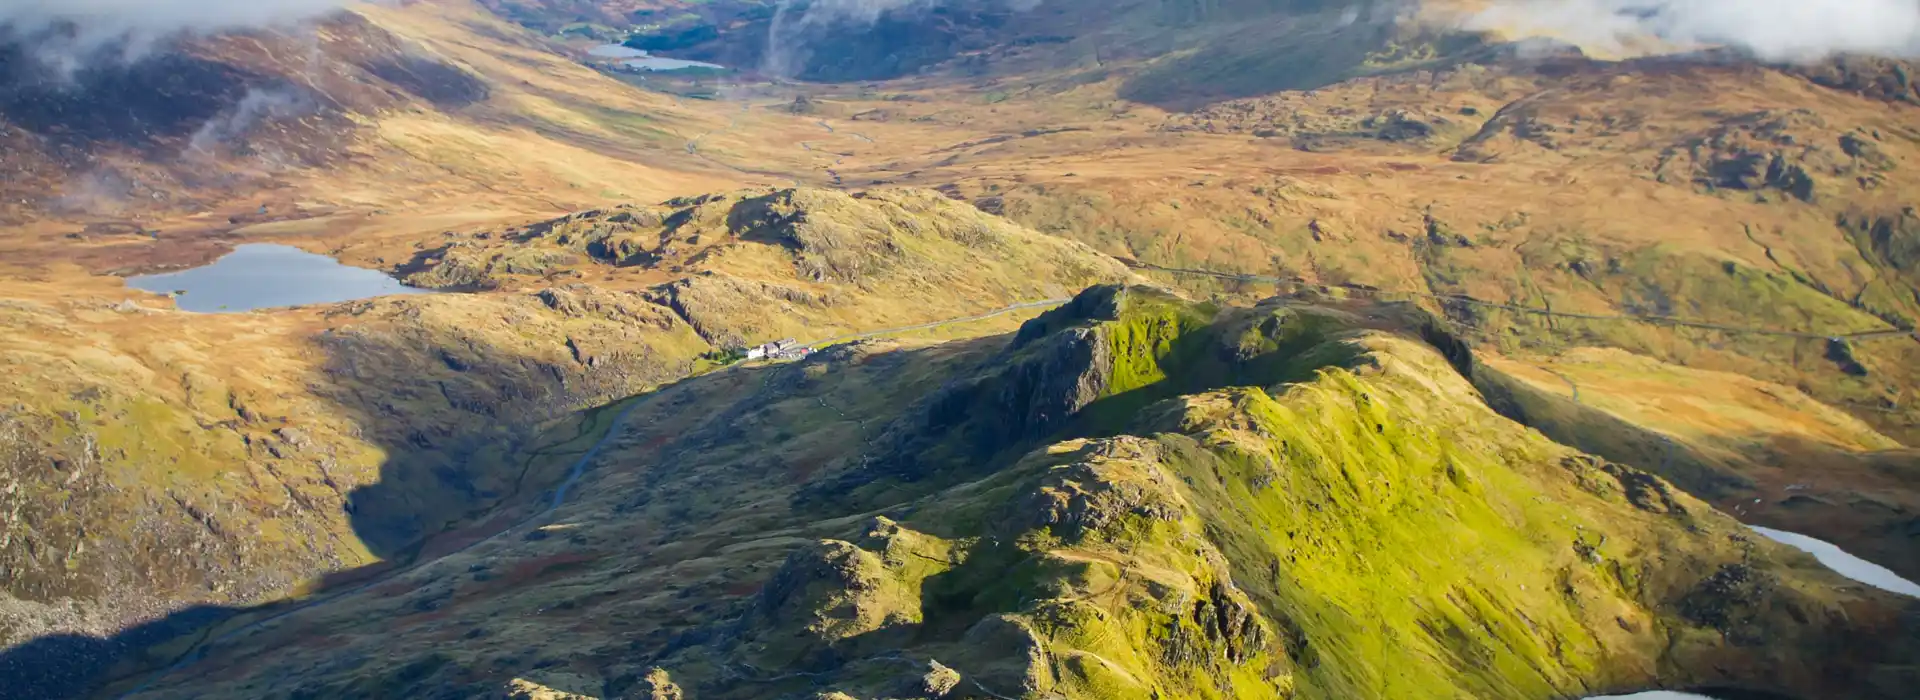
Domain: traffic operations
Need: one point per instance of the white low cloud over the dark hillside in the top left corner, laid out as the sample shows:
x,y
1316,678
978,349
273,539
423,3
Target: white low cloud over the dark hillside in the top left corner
x,y
72,34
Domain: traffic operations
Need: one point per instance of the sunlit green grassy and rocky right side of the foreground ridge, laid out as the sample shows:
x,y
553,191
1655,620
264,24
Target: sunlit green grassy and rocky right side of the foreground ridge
x,y
1368,530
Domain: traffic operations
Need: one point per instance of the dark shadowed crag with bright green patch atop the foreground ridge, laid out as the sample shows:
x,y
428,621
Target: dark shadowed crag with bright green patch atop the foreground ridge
x,y
1088,369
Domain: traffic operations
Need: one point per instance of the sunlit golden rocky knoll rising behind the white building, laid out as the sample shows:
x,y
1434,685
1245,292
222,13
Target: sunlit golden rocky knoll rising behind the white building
x,y
828,237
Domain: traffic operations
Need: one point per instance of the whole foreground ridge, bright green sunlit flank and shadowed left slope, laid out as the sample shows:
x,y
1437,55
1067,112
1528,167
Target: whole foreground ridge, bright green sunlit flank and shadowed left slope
x,y
1134,496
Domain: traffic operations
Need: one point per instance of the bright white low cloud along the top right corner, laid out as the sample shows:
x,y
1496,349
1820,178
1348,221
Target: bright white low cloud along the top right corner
x,y
1769,30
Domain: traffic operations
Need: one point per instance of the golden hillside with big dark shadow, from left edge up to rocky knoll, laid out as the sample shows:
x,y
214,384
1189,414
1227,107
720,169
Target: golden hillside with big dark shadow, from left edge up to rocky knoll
x,y
354,440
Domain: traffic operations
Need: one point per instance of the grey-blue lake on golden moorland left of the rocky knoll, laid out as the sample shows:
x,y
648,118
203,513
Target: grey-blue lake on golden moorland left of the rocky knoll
x,y
264,277
